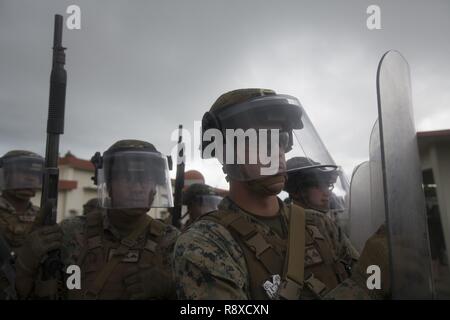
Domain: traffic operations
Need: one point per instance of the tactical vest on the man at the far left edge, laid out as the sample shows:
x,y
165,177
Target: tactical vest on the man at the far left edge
x,y
15,227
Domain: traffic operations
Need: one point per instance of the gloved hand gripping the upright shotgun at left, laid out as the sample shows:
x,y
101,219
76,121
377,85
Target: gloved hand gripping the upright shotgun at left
x,y
37,244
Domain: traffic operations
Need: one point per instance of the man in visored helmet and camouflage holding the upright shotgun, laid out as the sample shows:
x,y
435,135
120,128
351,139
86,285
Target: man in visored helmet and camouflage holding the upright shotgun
x,y
120,251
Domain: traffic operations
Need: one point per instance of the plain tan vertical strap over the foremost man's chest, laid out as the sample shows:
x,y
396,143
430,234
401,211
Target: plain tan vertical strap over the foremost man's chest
x,y
292,283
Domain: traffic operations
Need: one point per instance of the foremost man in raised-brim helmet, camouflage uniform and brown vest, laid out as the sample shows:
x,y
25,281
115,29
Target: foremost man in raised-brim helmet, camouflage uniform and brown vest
x,y
234,254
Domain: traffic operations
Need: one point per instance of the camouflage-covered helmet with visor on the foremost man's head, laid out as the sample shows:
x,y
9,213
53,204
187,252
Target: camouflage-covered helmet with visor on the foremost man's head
x,y
273,117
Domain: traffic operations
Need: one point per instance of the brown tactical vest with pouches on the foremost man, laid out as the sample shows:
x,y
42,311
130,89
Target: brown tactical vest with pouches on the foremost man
x,y
265,255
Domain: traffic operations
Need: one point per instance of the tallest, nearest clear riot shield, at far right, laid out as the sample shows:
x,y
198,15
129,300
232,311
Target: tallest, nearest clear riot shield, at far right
x,y
410,263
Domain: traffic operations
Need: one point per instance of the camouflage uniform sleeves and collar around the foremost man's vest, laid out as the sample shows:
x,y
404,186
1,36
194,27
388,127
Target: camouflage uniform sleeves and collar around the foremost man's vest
x,y
210,263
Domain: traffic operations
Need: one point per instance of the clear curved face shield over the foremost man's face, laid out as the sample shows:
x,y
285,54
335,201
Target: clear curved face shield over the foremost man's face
x,y
255,135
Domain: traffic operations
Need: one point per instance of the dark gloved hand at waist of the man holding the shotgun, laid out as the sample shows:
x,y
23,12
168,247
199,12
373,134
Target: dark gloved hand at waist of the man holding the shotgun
x,y
149,283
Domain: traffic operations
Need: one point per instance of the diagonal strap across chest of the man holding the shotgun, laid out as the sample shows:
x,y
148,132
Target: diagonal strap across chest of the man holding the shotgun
x,y
125,245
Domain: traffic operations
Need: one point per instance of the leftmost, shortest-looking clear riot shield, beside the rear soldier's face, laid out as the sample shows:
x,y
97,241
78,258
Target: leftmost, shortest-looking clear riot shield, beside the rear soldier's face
x,y
359,206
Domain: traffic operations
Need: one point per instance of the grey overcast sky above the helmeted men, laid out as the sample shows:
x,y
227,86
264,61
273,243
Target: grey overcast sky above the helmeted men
x,y
137,69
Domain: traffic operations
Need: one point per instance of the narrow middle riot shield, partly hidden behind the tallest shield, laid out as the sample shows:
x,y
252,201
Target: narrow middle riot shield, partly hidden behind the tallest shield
x,y
378,215
